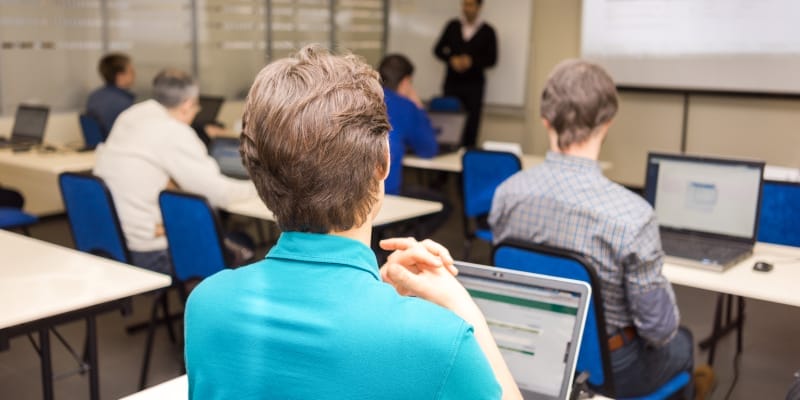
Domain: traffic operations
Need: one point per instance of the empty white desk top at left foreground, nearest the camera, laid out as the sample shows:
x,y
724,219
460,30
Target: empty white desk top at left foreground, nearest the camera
x,y
40,280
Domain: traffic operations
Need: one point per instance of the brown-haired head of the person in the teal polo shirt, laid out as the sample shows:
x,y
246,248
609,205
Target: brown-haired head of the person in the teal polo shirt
x,y
314,140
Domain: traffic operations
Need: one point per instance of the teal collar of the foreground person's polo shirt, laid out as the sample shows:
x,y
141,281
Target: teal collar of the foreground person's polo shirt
x,y
325,248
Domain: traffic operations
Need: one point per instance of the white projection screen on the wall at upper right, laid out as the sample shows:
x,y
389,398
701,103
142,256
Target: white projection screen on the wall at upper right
x,y
732,45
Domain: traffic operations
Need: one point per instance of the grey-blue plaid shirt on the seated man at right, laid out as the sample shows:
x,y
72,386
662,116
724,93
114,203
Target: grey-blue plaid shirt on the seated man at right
x,y
568,203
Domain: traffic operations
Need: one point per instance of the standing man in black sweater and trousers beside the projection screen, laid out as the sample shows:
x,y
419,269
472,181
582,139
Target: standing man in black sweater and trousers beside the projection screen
x,y
468,45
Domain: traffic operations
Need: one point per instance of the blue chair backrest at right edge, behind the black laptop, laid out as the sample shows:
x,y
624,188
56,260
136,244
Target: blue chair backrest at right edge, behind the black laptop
x,y
779,218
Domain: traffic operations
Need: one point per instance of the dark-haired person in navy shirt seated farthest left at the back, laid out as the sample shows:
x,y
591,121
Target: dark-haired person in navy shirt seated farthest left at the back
x,y
107,102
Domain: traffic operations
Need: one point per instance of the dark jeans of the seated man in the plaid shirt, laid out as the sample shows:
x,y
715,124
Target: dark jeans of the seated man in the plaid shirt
x,y
640,369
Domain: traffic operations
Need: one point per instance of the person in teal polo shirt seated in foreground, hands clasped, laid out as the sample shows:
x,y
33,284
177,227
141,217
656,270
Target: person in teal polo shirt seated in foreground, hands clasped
x,y
317,319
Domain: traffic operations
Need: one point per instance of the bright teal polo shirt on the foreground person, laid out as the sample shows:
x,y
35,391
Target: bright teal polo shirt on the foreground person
x,y
314,321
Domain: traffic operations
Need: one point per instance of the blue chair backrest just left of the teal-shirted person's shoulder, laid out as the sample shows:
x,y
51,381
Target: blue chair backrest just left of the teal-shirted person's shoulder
x,y
192,229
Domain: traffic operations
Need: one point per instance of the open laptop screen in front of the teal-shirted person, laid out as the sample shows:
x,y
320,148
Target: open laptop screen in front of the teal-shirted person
x,y
537,322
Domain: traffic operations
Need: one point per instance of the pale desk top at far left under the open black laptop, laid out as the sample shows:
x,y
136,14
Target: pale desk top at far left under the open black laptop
x,y
53,162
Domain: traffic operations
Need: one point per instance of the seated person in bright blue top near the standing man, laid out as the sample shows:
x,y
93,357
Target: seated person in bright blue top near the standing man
x,y
411,128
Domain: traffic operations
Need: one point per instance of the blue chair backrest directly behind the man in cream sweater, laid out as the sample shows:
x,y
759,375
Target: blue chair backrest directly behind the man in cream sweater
x,y
92,216
